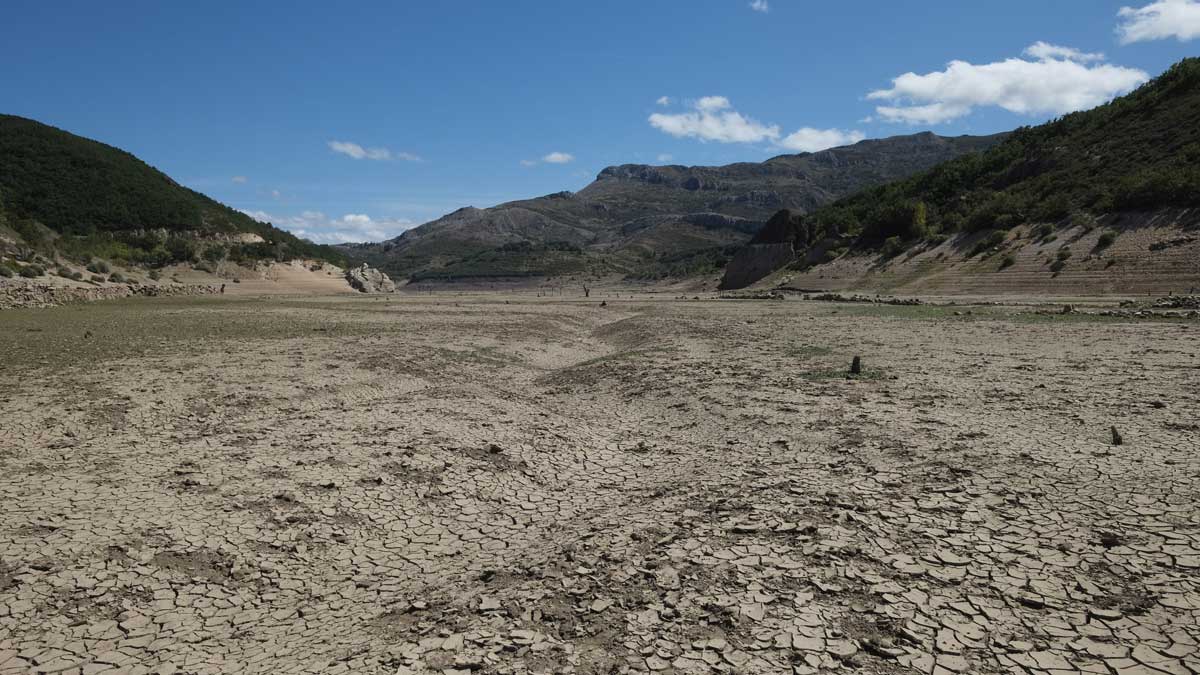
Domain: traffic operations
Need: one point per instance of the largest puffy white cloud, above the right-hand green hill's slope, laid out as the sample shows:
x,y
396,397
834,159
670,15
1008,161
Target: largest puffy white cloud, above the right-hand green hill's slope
x,y
1059,81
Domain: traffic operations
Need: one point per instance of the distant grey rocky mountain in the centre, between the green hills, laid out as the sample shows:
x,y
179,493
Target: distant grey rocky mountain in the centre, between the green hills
x,y
652,220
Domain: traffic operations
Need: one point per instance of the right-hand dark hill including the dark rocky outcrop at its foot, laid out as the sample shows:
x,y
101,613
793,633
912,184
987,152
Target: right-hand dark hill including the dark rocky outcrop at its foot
x,y
1139,154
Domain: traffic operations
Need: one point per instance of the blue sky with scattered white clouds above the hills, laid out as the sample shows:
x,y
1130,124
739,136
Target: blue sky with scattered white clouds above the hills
x,y
356,121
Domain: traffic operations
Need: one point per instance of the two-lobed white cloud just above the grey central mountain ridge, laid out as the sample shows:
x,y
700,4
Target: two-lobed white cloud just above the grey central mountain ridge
x,y
713,118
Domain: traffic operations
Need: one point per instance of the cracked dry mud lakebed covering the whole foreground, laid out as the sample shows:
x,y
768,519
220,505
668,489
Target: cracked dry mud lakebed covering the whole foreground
x,y
455,485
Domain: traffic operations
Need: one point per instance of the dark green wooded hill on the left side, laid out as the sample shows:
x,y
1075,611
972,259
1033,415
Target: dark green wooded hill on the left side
x,y
81,198
